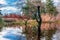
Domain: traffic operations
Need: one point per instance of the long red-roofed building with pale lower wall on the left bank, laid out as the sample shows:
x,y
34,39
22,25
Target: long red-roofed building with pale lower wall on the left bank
x,y
14,18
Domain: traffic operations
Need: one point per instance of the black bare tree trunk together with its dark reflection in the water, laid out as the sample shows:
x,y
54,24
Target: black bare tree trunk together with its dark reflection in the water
x,y
39,20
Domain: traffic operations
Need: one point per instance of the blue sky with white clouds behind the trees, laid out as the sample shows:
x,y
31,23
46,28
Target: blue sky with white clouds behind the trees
x,y
13,6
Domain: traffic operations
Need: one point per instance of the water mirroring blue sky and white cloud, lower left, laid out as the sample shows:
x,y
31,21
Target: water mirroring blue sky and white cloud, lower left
x,y
11,33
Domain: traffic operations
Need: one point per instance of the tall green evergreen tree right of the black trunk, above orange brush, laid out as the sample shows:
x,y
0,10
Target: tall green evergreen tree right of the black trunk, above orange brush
x,y
50,8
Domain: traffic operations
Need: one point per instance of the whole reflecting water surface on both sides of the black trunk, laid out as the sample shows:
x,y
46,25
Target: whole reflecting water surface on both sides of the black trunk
x,y
11,33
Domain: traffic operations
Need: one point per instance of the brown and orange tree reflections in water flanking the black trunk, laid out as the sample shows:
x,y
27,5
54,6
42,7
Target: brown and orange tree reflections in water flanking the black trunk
x,y
48,32
